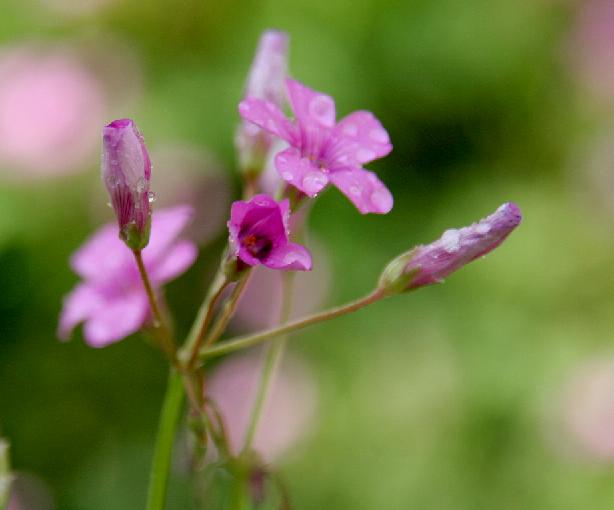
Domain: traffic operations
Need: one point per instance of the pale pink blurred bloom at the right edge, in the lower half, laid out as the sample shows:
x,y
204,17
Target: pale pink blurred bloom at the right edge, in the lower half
x,y
588,408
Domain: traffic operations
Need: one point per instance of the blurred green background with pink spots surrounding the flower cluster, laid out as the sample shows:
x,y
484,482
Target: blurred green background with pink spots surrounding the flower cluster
x,y
494,390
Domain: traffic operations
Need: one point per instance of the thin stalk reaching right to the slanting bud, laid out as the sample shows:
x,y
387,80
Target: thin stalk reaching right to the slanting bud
x,y
257,338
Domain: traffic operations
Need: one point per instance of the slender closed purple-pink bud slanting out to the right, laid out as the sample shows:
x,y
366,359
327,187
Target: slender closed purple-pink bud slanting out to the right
x,y
425,265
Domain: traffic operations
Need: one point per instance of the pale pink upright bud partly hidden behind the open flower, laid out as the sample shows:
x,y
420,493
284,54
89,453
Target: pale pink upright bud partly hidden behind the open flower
x,y
265,81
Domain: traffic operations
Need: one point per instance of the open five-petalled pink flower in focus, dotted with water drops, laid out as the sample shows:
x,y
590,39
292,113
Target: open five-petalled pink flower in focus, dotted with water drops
x,y
323,151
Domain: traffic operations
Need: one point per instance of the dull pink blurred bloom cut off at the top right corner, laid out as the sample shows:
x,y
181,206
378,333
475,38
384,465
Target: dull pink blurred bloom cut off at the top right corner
x,y
592,48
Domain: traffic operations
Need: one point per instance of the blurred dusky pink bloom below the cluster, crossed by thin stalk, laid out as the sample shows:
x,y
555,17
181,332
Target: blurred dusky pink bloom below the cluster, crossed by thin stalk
x,y
289,410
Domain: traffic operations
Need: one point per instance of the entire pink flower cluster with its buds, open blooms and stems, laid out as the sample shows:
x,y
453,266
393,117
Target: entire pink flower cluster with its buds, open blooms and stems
x,y
124,265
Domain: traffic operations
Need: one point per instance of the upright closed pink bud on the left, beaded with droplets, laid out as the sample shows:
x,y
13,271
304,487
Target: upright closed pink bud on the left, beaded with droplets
x,y
126,172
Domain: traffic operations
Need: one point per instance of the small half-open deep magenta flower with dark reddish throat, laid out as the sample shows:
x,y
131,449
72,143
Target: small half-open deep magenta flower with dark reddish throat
x,y
259,235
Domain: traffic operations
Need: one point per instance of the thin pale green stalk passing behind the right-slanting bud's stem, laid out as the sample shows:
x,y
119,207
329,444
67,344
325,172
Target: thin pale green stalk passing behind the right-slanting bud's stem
x,y
271,362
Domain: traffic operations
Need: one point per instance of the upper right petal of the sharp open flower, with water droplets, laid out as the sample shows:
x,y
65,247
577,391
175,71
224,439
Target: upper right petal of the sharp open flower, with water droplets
x,y
360,138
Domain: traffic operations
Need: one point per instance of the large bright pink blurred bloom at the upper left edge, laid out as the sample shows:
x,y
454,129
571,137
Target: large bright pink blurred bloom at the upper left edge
x,y
50,110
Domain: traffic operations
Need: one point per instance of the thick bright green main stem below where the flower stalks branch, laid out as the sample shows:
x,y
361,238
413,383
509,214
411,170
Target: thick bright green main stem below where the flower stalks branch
x,y
167,428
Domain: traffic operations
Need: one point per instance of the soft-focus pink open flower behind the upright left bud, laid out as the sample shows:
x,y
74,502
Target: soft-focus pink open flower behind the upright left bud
x,y
111,299
